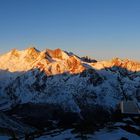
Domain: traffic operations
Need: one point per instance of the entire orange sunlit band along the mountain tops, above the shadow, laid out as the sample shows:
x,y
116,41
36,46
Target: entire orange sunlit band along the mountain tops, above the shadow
x,y
57,61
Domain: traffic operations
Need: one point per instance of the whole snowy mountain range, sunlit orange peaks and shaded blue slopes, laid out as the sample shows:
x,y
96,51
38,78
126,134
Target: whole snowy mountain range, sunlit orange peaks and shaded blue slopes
x,y
66,83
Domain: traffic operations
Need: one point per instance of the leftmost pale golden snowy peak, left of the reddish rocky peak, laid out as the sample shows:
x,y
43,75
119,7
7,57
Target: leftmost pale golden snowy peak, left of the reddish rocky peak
x,y
19,60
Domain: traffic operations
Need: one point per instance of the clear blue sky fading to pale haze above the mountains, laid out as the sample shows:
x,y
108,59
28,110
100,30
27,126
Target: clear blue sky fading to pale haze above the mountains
x,y
101,29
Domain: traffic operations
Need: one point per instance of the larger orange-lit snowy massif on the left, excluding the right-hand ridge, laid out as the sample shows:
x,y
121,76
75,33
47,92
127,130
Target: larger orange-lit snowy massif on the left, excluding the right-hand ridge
x,y
51,61
